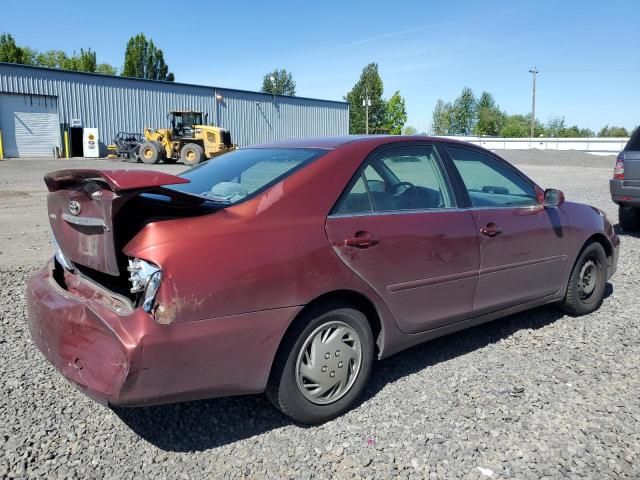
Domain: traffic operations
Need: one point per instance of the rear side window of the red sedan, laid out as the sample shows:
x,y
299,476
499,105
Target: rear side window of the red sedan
x,y
403,178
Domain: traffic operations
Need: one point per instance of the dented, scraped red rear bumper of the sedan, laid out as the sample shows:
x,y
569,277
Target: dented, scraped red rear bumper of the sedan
x,y
129,359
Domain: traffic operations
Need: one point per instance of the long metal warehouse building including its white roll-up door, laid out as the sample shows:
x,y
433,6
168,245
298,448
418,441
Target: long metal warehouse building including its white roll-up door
x,y
37,105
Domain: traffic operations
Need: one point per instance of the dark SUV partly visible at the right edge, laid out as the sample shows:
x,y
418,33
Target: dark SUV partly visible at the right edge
x,y
625,185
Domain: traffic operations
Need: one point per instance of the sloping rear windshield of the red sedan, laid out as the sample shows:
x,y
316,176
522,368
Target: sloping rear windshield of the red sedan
x,y
232,177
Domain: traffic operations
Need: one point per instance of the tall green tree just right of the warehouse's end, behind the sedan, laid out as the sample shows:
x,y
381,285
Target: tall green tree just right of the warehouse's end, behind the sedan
x,y
368,86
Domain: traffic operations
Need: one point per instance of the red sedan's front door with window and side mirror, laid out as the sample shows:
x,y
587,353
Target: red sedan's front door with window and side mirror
x,y
523,245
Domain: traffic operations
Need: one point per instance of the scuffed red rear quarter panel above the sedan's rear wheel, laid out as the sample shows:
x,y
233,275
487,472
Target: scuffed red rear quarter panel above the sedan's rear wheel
x,y
269,252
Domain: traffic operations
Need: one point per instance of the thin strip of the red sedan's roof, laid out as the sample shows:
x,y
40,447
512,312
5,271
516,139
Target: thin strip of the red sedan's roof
x,y
331,143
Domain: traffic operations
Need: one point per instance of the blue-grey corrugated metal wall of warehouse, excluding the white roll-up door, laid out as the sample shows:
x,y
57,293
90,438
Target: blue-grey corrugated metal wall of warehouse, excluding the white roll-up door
x,y
114,104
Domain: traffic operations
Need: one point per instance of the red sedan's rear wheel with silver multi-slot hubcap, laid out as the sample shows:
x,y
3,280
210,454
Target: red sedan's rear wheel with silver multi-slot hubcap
x,y
293,393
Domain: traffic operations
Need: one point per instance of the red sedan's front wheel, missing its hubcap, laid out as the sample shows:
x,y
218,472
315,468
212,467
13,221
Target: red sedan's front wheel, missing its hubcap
x,y
583,295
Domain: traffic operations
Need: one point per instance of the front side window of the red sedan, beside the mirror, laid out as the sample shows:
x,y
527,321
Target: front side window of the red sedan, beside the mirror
x,y
489,182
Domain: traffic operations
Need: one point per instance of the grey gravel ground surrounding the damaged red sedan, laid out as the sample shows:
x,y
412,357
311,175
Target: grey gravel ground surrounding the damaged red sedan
x,y
534,395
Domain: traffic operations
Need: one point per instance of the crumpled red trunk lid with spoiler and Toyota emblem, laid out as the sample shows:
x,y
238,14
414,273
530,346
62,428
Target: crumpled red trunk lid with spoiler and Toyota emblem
x,y
83,205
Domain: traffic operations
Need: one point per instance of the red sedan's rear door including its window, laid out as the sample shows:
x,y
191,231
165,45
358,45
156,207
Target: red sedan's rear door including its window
x,y
398,226
